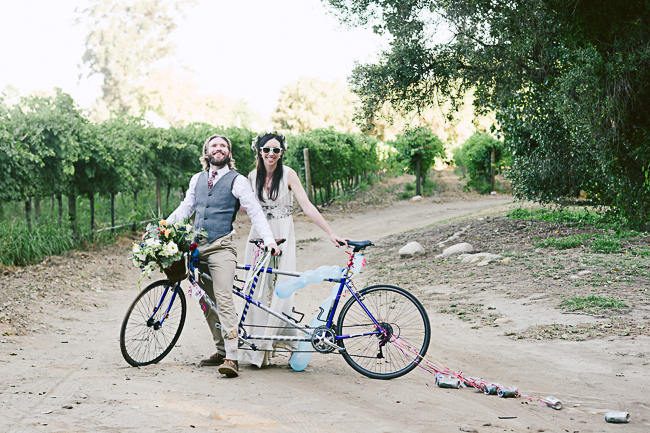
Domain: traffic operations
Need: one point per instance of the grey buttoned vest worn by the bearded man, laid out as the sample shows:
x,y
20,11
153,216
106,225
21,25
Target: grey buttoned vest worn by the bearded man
x,y
215,208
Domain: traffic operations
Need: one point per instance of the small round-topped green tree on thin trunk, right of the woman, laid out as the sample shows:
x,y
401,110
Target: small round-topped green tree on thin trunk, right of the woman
x,y
417,149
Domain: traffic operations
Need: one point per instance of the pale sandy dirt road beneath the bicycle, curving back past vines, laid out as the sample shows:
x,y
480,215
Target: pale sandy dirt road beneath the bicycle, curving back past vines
x,y
70,376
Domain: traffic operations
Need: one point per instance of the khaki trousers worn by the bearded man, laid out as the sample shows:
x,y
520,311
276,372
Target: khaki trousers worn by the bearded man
x,y
220,257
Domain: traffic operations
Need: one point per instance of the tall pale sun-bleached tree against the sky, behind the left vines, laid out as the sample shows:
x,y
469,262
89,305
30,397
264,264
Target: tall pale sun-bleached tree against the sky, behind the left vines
x,y
126,42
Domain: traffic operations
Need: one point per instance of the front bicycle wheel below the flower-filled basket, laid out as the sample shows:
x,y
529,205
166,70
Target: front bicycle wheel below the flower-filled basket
x,y
143,339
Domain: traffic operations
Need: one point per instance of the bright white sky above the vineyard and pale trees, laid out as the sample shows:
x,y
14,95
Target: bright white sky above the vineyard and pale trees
x,y
245,49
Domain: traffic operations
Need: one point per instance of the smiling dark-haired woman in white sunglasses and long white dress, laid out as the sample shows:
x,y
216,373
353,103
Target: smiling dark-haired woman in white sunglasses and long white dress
x,y
275,186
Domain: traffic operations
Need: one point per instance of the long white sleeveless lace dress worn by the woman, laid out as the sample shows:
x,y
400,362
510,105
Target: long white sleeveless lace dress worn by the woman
x,y
279,215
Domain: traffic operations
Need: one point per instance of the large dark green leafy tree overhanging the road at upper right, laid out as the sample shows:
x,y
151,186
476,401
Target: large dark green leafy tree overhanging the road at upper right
x,y
568,81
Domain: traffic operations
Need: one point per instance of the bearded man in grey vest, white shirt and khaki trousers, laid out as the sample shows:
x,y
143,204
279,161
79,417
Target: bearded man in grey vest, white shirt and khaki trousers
x,y
215,195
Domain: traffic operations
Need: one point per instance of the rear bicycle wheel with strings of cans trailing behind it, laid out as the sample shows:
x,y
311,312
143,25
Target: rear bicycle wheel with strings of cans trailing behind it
x,y
391,349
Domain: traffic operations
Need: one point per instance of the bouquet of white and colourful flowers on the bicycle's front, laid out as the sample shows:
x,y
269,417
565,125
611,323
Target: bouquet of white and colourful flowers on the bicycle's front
x,y
163,246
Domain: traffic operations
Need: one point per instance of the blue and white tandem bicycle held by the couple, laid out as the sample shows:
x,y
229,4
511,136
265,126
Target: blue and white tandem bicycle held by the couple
x,y
370,331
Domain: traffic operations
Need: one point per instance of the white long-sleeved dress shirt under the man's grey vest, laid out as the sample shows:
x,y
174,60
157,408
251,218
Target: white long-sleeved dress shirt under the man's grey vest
x,y
241,189
